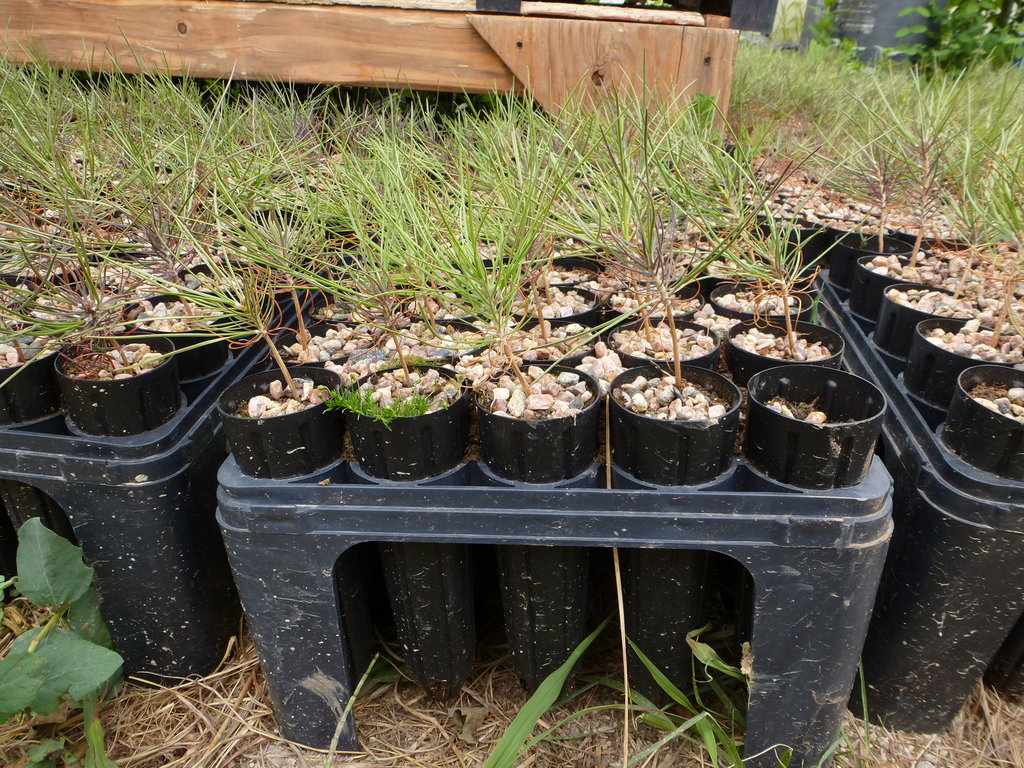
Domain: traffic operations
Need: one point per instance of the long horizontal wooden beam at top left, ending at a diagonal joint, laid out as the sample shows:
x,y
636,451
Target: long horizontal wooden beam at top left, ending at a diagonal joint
x,y
423,50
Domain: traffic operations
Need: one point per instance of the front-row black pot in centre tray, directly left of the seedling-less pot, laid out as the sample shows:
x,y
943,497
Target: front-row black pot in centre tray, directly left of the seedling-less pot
x,y
674,453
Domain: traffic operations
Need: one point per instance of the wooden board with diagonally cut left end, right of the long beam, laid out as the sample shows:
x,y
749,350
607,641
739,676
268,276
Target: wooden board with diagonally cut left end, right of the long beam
x,y
561,60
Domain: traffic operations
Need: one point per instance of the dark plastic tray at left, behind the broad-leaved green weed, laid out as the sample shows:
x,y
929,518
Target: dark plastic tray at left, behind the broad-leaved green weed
x,y
142,508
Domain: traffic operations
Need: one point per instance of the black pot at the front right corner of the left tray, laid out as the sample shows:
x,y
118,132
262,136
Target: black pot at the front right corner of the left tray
x,y
115,408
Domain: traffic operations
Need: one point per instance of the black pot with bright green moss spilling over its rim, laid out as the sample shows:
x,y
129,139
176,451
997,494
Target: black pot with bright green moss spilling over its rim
x,y
415,447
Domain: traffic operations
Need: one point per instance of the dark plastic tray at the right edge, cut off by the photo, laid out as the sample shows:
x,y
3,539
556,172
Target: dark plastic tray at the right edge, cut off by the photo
x,y
954,586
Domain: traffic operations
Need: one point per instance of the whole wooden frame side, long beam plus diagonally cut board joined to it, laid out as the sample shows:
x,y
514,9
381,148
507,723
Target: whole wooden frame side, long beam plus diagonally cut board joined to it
x,y
374,47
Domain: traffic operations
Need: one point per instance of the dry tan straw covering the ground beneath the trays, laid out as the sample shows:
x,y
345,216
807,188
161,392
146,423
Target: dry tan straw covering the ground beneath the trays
x,y
226,721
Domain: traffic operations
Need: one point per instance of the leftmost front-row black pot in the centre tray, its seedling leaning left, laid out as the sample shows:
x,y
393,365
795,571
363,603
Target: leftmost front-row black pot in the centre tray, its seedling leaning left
x,y
288,446
